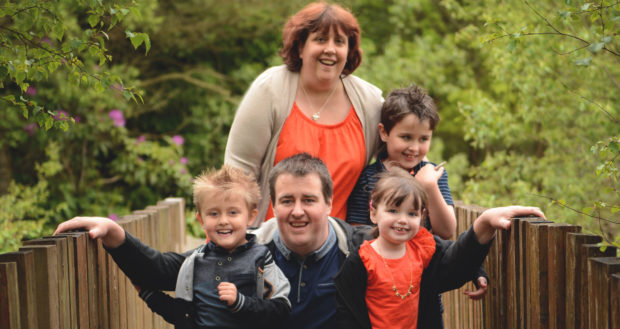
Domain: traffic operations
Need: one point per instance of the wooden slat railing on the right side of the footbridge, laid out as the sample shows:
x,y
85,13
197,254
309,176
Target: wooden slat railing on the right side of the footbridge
x,y
542,275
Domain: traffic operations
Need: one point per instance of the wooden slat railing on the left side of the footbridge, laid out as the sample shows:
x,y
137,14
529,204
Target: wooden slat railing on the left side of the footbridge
x,y
70,282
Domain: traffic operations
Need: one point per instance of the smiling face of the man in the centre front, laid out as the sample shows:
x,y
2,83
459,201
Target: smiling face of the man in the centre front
x,y
301,212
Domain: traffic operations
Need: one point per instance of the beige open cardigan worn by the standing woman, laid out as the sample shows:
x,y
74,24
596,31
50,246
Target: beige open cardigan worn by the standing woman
x,y
259,119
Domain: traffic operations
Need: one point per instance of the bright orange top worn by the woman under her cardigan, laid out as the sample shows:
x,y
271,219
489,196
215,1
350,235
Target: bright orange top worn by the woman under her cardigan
x,y
341,146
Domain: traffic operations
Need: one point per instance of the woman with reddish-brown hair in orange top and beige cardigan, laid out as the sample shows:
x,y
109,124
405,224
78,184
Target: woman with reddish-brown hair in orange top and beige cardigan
x,y
311,104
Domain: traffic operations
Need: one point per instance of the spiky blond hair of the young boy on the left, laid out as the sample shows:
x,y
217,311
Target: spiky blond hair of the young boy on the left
x,y
226,180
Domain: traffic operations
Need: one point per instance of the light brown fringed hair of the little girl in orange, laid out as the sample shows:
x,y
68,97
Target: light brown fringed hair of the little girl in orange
x,y
394,187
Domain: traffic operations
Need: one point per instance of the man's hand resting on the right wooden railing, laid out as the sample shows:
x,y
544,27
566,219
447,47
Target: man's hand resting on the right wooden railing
x,y
499,218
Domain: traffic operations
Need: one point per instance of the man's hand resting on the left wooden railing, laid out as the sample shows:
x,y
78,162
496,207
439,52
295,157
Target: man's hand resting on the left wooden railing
x,y
111,234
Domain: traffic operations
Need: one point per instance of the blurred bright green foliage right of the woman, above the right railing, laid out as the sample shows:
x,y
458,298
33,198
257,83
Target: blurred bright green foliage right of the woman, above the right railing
x,y
525,90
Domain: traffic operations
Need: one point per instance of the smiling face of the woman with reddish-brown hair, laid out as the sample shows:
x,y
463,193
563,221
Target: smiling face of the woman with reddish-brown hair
x,y
324,55
